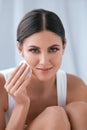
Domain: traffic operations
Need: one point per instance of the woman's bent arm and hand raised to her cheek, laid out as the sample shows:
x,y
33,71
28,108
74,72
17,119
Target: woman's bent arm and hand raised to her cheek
x,y
16,87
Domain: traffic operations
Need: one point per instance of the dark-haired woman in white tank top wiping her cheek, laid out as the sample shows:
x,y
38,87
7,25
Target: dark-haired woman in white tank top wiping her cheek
x,y
49,98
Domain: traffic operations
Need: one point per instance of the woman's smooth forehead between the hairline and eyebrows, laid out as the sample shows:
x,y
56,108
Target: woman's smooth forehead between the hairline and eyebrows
x,y
43,38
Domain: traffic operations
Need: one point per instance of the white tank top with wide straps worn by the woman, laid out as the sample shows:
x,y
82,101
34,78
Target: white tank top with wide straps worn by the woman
x,y
61,90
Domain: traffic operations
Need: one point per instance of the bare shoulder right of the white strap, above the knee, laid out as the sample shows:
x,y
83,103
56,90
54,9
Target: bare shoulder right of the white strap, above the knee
x,y
77,90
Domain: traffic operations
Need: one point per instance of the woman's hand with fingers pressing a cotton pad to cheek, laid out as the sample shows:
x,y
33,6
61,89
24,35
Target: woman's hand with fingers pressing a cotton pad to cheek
x,y
17,83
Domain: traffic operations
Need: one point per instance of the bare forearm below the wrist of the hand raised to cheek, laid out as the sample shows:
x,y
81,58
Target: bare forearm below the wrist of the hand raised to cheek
x,y
18,117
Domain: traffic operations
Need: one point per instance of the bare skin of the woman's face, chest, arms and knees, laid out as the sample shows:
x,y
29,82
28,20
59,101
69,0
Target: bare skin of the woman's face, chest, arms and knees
x,y
36,99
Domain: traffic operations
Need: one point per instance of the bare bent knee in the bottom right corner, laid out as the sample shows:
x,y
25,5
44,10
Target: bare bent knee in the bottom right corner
x,y
77,114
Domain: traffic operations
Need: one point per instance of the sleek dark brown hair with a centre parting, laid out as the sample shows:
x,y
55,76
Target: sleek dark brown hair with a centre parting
x,y
37,21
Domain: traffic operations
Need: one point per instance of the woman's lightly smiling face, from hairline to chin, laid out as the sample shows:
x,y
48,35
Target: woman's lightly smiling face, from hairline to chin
x,y
43,51
